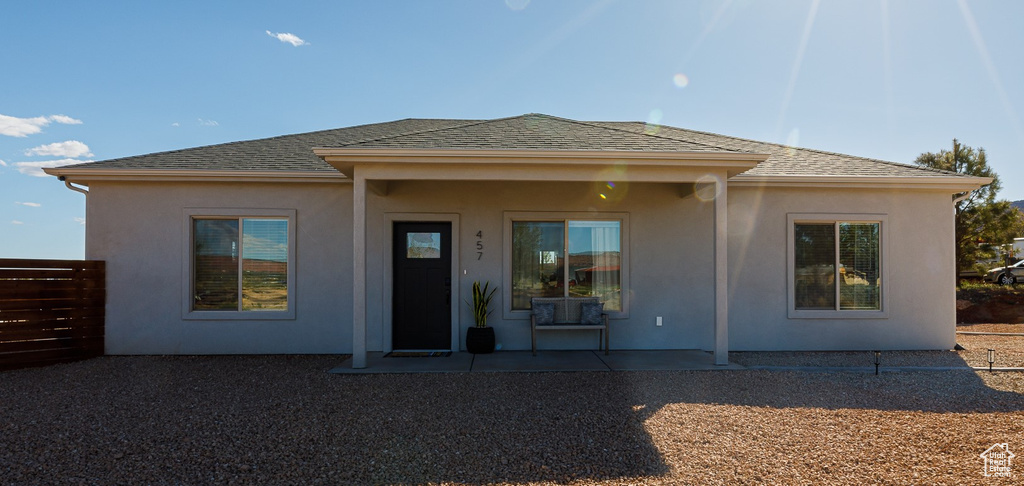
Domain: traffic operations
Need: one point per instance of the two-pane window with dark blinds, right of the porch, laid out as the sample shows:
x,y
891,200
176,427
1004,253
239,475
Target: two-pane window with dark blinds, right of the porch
x,y
836,266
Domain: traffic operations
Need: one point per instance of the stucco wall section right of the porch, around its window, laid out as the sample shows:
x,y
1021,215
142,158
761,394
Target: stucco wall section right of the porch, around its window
x,y
920,291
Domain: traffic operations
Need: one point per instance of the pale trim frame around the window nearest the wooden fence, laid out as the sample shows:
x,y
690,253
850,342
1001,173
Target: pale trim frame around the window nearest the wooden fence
x,y
189,214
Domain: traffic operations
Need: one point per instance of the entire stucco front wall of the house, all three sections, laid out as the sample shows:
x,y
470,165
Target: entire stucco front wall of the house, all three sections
x,y
138,230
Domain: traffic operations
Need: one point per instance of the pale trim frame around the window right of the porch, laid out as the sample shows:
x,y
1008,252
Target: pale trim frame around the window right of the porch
x,y
833,218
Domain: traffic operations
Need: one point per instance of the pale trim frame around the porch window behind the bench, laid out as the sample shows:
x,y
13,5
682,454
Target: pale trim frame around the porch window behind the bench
x,y
624,258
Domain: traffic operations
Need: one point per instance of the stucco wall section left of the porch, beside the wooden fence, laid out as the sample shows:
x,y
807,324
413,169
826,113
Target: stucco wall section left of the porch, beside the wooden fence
x,y
138,230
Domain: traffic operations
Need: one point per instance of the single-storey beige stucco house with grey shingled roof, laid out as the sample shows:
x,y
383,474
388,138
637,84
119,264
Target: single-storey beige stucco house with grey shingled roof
x,y
368,239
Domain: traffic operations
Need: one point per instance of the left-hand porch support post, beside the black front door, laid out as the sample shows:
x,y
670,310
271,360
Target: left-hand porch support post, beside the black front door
x,y
359,272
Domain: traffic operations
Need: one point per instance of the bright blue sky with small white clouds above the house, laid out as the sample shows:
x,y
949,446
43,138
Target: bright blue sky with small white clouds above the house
x,y
89,81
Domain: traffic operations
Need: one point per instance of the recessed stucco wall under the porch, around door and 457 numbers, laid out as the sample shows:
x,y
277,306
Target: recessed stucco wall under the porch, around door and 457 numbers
x,y
670,262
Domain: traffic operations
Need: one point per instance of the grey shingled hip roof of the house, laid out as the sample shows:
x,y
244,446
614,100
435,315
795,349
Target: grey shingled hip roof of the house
x,y
527,132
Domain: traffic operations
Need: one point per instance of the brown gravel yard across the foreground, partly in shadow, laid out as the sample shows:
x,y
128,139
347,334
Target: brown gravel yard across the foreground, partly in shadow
x,y
284,420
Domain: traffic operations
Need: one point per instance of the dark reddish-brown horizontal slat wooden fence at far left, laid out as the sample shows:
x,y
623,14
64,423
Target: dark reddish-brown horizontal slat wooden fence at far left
x,y
51,312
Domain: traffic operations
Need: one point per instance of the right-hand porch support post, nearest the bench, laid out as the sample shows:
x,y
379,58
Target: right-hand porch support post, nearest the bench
x,y
721,274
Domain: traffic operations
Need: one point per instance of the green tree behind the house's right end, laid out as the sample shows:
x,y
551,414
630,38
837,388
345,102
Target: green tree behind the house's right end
x,y
983,224
